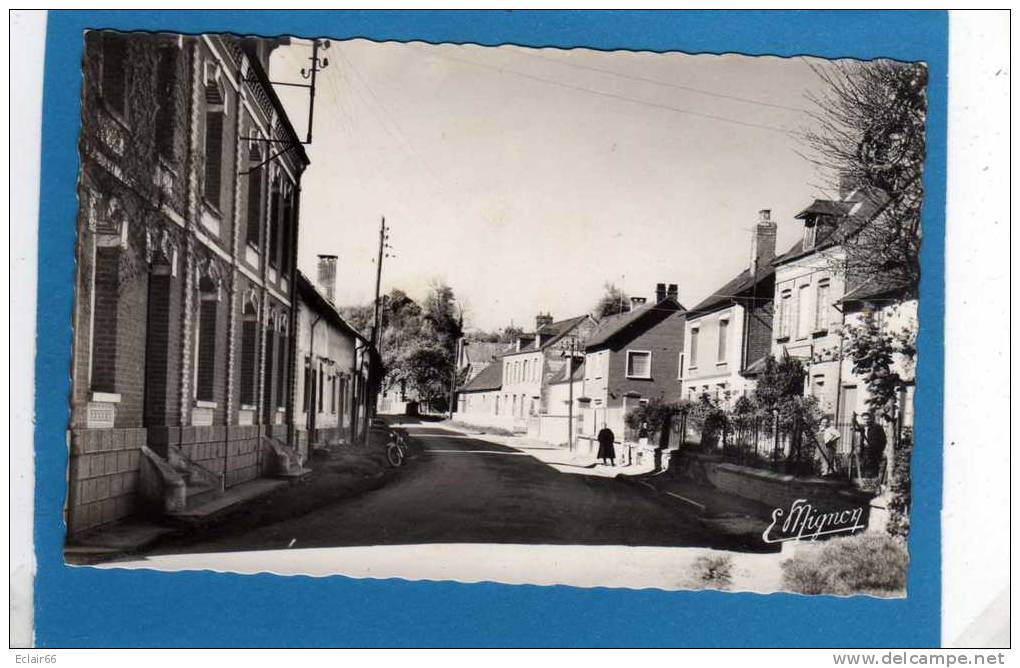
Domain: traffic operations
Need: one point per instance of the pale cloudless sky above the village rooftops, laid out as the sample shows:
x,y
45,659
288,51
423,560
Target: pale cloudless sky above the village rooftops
x,y
528,179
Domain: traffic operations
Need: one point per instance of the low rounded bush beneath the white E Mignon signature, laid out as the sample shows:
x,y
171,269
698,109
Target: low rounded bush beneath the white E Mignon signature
x,y
868,563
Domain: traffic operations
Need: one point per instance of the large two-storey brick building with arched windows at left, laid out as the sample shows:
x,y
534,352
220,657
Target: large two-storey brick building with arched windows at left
x,y
183,384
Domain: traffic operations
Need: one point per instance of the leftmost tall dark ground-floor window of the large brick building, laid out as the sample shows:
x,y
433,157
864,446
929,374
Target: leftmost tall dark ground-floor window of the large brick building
x,y
105,318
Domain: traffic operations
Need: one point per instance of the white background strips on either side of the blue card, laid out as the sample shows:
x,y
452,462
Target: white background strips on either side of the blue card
x,y
978,501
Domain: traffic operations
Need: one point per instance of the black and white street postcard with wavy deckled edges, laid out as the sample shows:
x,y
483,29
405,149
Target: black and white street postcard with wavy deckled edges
x,y
506,315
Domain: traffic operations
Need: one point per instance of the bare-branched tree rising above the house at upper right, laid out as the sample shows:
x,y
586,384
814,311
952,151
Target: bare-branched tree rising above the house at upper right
x,y
871,130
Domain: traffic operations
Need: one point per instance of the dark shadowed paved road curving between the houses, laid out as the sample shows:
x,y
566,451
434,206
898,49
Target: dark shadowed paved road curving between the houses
x,y
463,489
